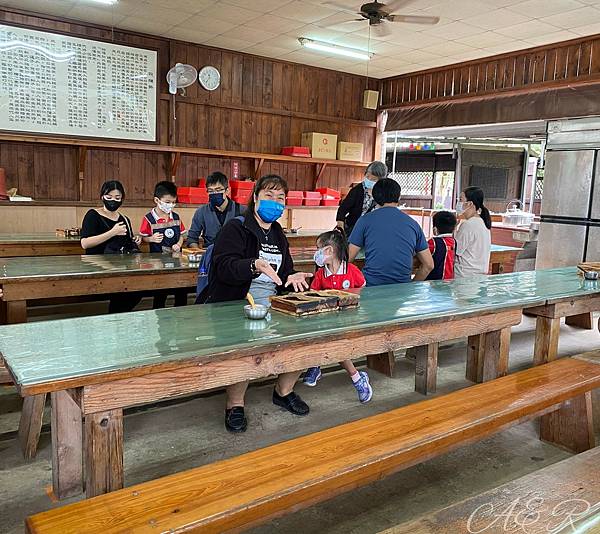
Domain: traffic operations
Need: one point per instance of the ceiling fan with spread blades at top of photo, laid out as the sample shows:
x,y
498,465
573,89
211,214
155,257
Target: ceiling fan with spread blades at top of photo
x,y
378,15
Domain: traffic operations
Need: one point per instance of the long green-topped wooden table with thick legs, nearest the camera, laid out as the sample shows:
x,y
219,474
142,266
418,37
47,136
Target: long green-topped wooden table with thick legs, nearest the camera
x,y
161,354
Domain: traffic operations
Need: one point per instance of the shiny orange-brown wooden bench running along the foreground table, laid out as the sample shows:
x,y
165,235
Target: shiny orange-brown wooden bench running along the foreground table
x,y
254,487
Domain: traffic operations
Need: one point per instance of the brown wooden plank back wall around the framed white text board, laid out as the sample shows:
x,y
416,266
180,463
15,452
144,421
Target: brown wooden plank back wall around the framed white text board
x,y
260,106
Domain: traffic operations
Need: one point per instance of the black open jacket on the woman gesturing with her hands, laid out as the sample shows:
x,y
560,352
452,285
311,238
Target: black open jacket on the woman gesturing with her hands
x,y
237,244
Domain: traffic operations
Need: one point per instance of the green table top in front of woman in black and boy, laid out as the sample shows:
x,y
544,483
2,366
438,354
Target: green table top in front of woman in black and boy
x,y
39,267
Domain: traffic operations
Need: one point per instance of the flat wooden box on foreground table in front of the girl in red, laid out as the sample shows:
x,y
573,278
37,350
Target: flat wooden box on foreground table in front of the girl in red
x,y
311,302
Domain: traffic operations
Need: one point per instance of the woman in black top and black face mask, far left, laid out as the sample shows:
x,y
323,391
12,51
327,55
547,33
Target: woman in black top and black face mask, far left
x,y
106,231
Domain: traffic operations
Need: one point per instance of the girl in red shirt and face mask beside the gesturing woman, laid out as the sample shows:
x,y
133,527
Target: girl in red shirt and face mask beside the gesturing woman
x,y
335,272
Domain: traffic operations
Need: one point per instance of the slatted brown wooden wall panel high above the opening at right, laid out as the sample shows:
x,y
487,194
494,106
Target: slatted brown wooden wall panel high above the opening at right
x,y
554,65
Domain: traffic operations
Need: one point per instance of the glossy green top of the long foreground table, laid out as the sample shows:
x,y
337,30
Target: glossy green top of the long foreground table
x,y
43,352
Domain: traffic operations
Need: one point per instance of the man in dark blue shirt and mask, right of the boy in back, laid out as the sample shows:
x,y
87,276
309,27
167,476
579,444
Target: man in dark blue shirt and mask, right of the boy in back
x,y
208,220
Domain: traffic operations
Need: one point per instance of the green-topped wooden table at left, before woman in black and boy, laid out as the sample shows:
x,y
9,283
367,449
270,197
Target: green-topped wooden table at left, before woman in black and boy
x,y
30,278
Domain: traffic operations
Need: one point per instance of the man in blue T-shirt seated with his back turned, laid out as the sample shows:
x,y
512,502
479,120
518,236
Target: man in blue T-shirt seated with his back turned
x,y
390,239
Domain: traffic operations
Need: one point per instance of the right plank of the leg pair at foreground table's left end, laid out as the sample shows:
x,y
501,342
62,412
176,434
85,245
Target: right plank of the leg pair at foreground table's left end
x,y
103,452
